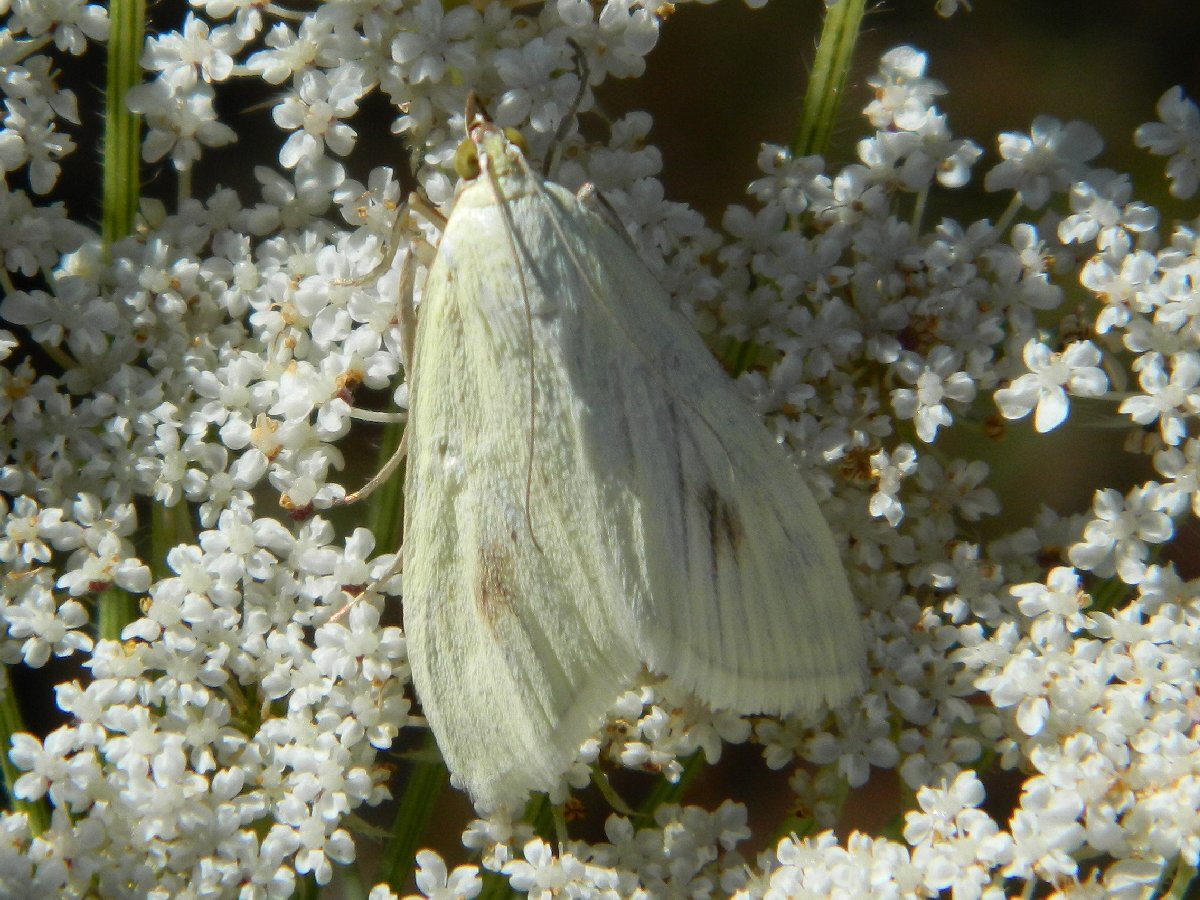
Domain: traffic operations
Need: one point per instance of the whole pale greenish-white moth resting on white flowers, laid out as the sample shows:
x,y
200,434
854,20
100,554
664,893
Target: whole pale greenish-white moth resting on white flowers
x,y
589,494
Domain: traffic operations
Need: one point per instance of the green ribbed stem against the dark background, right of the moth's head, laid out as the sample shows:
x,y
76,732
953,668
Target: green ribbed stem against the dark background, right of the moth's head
x,y
831,69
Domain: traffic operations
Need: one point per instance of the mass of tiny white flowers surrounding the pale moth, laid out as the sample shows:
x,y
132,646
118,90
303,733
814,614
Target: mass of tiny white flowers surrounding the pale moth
x,y
178,381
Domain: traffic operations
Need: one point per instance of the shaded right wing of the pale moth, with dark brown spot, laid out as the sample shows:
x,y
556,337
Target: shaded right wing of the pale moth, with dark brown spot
x,y
741,595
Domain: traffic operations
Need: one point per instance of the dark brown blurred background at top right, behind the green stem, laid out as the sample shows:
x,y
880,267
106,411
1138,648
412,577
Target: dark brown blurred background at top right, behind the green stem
x,y
725,77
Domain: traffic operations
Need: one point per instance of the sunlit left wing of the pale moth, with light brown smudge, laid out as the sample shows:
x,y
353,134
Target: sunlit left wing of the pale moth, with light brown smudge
x,y
518,640
